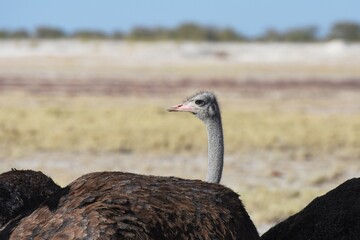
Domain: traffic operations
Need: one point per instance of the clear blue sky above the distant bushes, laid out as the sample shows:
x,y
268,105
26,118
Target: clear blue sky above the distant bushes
x,y
250,17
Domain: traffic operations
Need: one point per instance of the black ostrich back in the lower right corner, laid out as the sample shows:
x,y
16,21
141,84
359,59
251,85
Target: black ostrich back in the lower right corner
x,y
333,216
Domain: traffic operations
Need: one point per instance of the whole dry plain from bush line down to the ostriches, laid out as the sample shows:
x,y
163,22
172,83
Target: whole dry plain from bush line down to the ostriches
x,y
291,114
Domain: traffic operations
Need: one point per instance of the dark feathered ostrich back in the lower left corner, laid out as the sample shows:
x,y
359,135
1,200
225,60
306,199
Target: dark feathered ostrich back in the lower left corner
x,y
23,191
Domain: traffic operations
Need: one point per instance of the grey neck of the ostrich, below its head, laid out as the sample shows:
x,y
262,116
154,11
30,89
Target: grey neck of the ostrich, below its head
x,y
215,149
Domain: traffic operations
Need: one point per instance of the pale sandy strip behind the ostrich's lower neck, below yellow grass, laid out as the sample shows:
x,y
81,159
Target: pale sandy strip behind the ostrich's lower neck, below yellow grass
x,y
240,171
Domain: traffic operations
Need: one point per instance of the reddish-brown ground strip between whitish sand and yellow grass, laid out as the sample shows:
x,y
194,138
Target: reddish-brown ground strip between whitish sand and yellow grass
x,y
105,86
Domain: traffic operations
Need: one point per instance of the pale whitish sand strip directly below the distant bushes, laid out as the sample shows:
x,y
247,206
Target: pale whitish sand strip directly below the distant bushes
x,y
172,60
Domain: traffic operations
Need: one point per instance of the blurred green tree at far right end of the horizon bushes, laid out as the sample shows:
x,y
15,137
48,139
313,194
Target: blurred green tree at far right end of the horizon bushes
x,y
348,31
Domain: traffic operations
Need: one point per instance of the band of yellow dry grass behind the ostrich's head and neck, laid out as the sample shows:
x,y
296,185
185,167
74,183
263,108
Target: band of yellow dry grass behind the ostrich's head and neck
x,y
100,124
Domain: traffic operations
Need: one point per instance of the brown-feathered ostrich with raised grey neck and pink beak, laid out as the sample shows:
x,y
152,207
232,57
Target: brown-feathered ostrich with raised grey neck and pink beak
x,y
117,205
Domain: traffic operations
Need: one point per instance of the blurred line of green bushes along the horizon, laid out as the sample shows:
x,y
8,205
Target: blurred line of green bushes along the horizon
x,y
347,31
